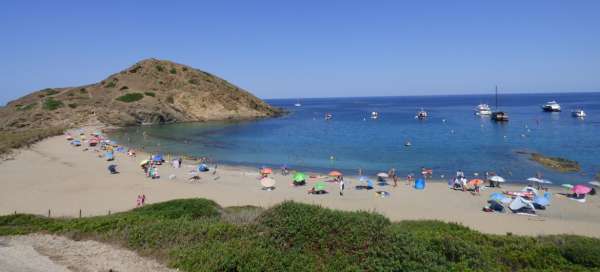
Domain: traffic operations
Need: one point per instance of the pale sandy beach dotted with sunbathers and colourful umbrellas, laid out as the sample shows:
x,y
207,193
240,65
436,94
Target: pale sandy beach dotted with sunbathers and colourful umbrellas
x,y
53,175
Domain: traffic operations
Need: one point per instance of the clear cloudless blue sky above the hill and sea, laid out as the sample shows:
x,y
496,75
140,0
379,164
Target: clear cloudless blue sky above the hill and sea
x,y
288,49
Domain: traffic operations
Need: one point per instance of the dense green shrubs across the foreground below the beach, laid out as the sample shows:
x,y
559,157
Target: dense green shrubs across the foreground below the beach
x,y
199,235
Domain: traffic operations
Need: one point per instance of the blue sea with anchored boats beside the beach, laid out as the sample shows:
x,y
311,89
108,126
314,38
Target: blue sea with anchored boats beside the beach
x,y
451,138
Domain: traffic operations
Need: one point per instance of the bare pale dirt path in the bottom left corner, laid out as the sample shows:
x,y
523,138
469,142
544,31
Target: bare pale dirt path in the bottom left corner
x,y
49,253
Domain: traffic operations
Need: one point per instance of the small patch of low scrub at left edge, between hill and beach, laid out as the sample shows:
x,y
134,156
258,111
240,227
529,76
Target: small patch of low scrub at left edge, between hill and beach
x,y
22,138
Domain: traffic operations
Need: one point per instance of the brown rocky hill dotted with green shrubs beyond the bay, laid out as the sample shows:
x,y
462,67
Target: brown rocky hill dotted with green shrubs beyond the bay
x,y
149,92
